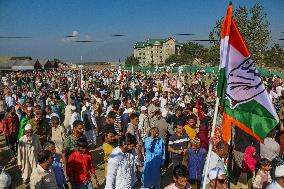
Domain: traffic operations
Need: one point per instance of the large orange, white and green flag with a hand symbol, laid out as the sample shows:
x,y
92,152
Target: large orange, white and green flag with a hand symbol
x,y
245,101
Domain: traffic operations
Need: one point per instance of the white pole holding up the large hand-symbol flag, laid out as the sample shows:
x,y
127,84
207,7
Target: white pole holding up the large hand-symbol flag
x,y
211,142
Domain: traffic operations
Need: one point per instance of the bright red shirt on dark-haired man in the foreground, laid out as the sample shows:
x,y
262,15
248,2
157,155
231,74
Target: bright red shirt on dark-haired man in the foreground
x,y
79,167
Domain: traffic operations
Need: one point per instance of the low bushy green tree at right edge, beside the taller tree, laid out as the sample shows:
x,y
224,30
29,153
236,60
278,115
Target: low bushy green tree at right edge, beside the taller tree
x,y
274,57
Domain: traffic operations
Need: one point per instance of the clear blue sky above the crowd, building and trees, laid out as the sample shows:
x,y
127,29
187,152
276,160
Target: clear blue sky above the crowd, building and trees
x,y
48,21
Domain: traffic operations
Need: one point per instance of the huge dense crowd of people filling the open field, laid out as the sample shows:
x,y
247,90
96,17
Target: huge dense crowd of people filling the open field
x,y
144,122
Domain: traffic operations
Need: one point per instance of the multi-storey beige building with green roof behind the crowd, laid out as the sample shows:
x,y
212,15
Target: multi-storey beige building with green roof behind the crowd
x,y
155,51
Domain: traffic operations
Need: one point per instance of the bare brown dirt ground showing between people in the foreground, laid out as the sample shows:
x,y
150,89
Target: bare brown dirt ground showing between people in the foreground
x,y
12,169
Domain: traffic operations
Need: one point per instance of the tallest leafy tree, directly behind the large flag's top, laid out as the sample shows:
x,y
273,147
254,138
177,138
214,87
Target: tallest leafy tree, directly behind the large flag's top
x,y
254,28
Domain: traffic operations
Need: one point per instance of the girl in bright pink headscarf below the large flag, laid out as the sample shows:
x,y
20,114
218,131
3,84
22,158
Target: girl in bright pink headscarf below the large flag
x,y
249,163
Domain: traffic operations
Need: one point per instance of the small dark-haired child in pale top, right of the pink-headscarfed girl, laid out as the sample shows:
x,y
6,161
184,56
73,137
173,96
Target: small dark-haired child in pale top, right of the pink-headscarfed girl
x,y
263,177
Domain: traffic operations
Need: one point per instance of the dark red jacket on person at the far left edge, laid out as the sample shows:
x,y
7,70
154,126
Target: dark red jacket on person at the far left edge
x,y
10,125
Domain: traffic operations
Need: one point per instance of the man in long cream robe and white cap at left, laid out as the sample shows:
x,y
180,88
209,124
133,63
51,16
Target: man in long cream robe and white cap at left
x,y
28,148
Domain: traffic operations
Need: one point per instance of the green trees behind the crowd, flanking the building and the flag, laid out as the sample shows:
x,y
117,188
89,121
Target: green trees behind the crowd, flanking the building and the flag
x,y
254,27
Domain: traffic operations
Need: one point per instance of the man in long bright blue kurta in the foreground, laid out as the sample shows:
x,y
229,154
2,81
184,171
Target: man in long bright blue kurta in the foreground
x,y
154,160
